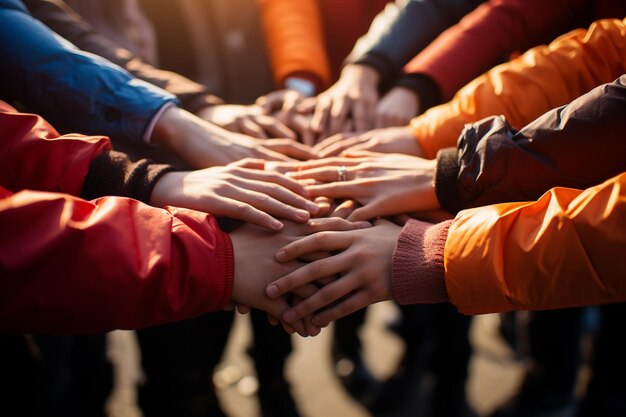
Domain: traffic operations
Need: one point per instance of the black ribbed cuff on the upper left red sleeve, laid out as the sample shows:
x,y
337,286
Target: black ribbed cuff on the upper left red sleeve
x,y
114,174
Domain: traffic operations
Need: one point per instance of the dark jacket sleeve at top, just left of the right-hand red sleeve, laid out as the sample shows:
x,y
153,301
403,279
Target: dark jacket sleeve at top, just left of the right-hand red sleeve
x,y
411,30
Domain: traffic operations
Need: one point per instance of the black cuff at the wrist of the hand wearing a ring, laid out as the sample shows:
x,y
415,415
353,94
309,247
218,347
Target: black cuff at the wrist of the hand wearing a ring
x,y
446,175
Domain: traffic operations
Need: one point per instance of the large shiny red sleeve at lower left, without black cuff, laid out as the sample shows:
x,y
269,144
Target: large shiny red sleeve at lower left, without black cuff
x,y
72,266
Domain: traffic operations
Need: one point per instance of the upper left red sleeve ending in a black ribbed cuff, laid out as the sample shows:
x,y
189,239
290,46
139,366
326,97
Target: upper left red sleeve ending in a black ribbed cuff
x,y
33,154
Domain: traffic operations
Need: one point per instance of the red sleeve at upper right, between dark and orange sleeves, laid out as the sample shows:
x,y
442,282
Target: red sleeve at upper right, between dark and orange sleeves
x,y
488,35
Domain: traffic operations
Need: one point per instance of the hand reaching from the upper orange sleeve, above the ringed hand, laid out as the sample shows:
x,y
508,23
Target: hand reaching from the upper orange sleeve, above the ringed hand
x,y
386,140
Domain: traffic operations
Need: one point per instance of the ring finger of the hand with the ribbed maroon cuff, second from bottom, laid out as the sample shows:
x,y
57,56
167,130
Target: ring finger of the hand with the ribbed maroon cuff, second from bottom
x,y
324,298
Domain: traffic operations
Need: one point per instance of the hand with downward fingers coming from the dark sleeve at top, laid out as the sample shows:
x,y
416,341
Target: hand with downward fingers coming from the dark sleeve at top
x,y
355,94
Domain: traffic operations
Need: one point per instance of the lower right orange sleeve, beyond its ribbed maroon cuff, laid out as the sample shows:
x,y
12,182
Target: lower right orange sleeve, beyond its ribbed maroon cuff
x,y
564,250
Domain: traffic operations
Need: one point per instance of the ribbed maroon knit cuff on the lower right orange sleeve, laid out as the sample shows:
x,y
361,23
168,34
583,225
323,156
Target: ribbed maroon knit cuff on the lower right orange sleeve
x,y
418,274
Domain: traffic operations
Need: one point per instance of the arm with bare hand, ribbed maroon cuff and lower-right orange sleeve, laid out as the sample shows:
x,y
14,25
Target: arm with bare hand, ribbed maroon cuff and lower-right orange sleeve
x,y
563,250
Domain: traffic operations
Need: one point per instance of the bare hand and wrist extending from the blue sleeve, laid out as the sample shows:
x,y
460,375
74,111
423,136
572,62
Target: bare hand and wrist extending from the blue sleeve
x,y
201,144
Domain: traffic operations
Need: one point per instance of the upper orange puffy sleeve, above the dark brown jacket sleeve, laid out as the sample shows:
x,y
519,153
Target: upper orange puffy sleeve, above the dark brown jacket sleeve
x,y
543,78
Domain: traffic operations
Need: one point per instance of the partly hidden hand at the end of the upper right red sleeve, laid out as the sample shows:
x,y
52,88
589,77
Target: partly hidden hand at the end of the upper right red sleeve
x,y
397,107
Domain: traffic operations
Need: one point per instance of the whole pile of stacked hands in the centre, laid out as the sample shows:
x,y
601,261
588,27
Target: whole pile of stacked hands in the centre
x,y
311,248
